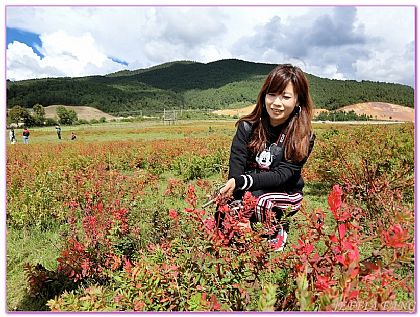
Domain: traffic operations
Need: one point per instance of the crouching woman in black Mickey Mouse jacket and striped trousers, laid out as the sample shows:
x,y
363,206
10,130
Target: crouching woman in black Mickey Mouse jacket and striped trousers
x,y
269,149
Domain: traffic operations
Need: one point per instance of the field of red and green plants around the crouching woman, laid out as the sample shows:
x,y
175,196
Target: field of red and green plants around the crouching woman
x,y
114,222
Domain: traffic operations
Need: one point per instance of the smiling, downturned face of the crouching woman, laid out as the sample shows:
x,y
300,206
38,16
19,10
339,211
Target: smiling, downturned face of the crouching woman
x,y
280,105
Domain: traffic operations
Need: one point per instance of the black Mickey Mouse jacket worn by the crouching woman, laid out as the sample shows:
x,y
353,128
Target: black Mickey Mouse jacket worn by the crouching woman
x,y
280,176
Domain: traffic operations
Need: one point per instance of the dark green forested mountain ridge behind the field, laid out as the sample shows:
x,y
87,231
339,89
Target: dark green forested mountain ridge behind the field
x,y
185,84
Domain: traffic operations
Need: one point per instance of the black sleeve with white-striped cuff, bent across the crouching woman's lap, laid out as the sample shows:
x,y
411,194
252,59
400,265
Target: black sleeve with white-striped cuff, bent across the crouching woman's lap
x,y
274,178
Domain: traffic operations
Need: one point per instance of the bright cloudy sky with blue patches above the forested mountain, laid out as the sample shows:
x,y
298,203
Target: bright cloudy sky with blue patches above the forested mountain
x,y
341,42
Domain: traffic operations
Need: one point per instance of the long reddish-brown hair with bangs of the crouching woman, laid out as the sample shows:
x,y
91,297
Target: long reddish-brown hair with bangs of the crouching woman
x,y
296,144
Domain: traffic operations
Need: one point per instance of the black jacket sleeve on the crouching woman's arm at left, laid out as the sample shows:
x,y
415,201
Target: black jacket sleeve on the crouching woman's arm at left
x,y
239,151
